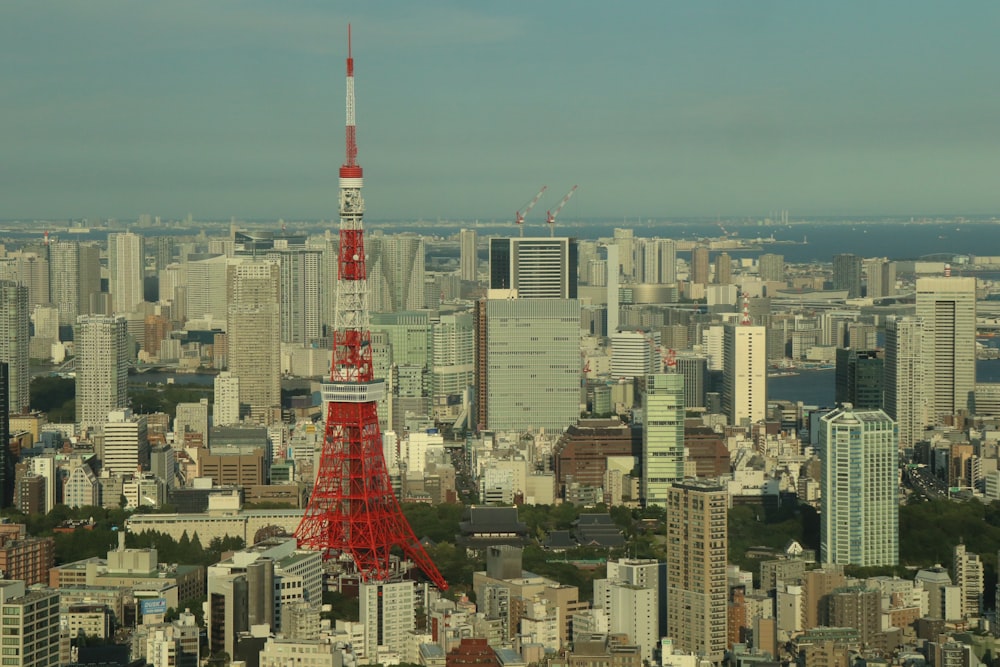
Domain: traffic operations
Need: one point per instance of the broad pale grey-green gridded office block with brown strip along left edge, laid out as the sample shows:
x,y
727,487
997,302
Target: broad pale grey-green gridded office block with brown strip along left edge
x,y
528,363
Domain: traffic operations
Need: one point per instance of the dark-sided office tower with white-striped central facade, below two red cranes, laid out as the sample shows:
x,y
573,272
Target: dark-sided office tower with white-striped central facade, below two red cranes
x,y
537,268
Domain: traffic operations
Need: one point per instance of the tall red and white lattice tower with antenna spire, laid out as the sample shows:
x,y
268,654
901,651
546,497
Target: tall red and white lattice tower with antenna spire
x,y
352,510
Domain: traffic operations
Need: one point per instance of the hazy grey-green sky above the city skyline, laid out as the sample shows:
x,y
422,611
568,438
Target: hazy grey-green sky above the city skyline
x,y
655,109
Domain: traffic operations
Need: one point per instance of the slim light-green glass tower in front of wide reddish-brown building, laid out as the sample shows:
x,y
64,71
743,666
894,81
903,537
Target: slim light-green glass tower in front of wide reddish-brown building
x,y
662,435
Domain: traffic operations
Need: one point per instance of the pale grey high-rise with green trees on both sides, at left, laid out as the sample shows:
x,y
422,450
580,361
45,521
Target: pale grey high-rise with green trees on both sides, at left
x,y
101,368
